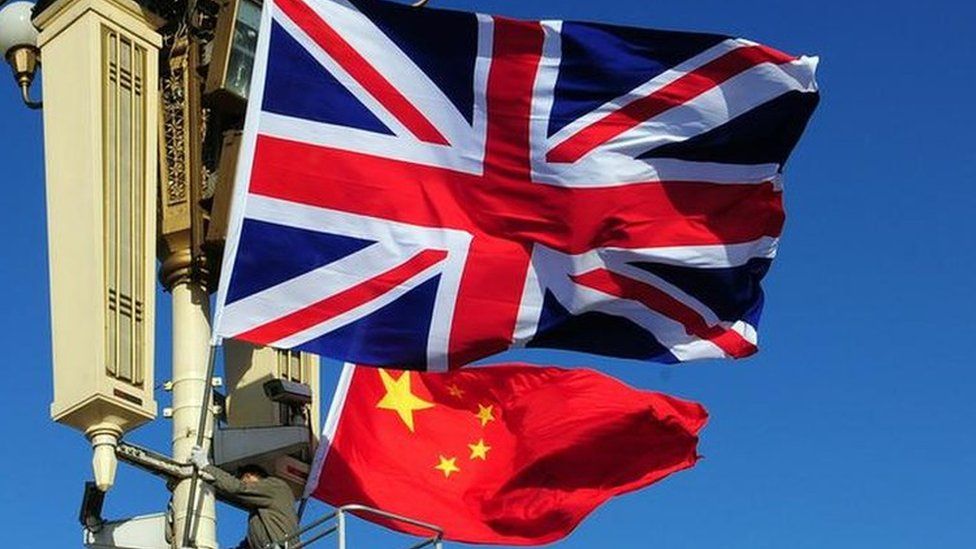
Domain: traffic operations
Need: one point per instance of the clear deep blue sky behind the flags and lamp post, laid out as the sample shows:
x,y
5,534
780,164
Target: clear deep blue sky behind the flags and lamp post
x,y
853,427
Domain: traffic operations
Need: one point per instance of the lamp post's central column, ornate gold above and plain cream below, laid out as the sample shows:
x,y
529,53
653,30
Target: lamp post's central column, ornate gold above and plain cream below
x,y
184,273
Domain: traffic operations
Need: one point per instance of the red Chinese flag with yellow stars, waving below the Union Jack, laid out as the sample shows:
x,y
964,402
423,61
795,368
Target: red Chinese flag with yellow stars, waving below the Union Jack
x,y
512,454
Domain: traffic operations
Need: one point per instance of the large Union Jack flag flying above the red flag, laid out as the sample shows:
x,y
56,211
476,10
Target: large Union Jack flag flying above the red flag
x,y
423,188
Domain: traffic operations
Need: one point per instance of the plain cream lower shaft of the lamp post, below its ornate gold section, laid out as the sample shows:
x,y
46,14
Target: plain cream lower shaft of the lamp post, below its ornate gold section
x,y
191,343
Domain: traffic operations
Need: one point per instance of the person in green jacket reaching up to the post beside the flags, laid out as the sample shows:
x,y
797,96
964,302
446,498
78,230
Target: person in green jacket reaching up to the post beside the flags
x,y
268,499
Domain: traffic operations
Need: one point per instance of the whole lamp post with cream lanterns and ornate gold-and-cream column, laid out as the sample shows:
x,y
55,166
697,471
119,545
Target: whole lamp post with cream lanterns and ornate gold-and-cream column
x,y
127,112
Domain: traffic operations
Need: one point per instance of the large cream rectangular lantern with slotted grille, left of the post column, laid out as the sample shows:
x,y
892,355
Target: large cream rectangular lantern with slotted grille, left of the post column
x,y
100,119
